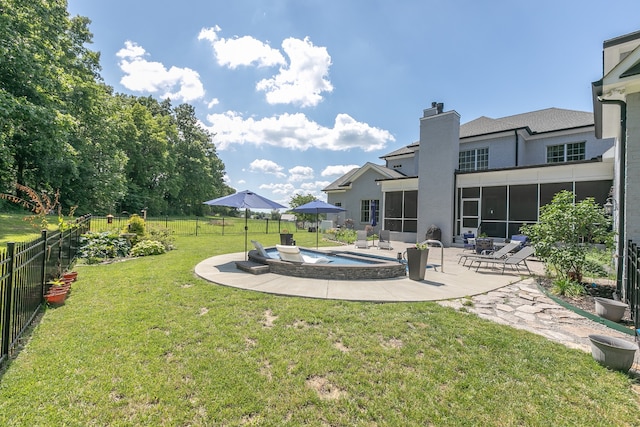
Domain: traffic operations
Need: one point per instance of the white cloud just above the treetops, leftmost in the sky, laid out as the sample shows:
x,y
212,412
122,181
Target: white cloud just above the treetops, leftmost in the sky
x,y
146,76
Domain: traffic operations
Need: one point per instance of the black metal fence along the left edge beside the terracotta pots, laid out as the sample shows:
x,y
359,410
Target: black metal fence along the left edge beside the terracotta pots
x,y
24,270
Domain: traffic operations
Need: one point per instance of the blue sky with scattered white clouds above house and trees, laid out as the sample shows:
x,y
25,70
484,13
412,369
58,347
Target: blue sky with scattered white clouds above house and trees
x,y
300,91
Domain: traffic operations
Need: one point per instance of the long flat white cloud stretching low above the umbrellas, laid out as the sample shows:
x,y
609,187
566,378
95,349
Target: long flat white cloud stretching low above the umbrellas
x,y
296,131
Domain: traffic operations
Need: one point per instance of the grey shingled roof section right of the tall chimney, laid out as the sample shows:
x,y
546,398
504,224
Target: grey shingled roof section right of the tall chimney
x,y
547,120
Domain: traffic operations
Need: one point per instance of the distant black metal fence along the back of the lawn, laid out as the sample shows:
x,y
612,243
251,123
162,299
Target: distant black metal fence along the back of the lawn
x,y
198,226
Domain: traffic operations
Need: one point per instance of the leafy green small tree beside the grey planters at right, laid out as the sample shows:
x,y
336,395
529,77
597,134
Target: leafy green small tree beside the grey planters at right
x,y
565,232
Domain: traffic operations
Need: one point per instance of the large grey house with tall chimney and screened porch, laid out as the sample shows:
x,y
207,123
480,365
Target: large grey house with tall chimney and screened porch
x,y
486,176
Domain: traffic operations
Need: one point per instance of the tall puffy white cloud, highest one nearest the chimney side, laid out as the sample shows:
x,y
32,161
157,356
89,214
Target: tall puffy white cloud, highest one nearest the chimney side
x,y
304,80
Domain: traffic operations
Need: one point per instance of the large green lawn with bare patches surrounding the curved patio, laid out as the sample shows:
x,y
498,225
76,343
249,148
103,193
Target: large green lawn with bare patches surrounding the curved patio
x,y
144,342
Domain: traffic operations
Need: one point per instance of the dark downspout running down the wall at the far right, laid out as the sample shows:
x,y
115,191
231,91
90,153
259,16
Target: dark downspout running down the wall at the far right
x,y
621,185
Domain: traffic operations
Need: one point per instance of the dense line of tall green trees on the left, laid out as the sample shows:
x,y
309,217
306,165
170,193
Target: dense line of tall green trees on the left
x,y
62,128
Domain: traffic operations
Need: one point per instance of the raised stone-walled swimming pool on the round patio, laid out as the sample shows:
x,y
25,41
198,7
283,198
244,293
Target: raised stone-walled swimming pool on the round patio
x,y
342,265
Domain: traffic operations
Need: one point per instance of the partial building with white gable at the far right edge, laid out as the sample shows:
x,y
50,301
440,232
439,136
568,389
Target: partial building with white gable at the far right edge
x,y
616,106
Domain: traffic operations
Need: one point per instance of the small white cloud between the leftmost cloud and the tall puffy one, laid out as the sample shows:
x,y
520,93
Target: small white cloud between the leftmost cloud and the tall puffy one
x,y
241,51
